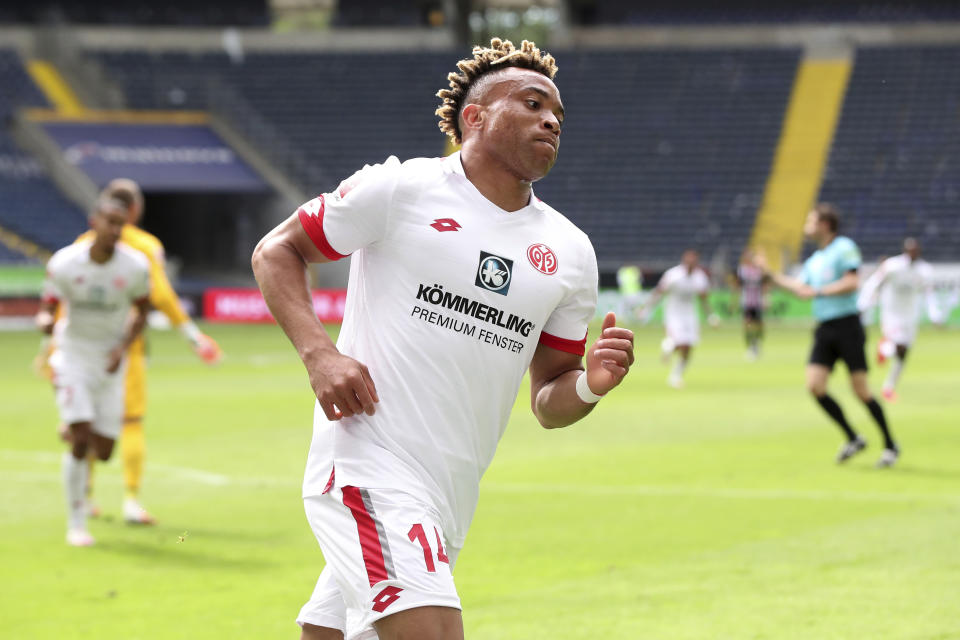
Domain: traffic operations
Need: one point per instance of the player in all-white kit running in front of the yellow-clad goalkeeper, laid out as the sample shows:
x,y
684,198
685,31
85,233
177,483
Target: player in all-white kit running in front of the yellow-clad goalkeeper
x,y
98,281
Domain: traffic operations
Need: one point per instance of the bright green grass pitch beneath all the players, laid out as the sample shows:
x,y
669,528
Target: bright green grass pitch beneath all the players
x,y
711,512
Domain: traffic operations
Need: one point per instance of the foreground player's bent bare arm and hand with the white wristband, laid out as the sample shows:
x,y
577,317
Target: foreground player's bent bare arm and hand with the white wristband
x,y
554,375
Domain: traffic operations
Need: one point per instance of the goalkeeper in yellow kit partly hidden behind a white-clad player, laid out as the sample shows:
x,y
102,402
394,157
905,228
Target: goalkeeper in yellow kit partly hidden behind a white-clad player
x,y
162,297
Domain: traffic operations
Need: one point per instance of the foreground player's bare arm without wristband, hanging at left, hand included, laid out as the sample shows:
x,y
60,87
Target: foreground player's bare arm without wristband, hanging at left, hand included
x,y
342,385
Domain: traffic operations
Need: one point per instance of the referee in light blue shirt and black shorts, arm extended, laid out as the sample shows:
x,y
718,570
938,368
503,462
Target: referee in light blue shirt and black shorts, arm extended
x,y
830,278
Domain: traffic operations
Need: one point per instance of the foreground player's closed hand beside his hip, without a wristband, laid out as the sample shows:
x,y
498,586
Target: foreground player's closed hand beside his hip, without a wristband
x,y
342,385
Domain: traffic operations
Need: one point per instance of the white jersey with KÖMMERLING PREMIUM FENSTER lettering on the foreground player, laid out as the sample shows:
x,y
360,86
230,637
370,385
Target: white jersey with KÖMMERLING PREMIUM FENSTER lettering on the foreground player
x,y
448,298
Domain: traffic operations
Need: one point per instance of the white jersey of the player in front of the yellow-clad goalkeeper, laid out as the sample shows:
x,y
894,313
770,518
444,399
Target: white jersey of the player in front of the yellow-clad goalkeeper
x,y
97,297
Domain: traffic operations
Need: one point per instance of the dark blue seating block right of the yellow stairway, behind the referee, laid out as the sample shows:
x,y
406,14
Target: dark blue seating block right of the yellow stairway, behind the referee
x,y
895,164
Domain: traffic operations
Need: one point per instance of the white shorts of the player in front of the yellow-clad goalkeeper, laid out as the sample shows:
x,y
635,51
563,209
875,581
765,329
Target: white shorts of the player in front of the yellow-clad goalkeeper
x,y
87,393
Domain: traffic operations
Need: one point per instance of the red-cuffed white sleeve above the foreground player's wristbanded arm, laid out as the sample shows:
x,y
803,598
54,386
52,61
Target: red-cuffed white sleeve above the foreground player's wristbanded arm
x,y
566,328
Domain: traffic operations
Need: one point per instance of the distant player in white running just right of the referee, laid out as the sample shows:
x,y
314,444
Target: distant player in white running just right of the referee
x,y
901,282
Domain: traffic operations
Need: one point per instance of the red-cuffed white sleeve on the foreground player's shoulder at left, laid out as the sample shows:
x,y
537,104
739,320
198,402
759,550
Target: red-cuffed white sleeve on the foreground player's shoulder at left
x,y
355,214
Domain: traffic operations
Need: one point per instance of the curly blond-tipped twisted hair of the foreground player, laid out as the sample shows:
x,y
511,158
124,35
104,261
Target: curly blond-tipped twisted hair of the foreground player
x,y
501,54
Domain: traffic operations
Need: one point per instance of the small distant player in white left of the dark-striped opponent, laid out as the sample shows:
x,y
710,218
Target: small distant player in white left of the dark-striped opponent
x,y
681,285
